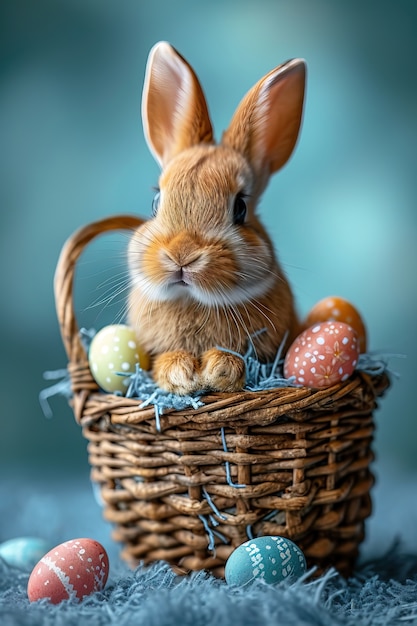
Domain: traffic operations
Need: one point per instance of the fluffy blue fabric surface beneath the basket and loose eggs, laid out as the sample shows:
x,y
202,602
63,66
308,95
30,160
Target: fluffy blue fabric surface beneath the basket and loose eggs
x,y
383,590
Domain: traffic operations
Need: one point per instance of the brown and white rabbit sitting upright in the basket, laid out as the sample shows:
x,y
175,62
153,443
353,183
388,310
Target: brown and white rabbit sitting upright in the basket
x,y
203,270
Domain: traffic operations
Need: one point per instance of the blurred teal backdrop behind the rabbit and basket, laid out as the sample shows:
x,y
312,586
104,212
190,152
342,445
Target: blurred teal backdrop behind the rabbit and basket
x,y
342,212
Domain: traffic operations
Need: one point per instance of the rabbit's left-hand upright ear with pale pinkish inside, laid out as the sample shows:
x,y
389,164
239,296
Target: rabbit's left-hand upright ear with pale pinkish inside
x,y
174,109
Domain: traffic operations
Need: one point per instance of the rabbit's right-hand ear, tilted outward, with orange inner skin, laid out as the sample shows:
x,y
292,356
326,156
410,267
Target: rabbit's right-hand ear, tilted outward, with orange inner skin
x,y
266,123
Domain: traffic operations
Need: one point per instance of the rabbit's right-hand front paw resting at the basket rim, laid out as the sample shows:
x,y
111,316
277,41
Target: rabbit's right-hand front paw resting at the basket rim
x,y
222,371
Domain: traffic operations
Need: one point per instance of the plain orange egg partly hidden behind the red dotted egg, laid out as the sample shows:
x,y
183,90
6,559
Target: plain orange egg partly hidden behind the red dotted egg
x,y
337,309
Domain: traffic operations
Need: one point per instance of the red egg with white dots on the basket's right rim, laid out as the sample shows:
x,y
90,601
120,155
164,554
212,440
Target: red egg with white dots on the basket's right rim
x,y
323,355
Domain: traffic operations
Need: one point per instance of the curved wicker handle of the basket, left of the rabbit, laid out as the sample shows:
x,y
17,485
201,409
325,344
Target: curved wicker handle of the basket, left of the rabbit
x,y
64,278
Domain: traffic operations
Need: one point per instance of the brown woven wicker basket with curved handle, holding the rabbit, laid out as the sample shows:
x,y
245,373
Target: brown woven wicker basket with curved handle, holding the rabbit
x,y
287,461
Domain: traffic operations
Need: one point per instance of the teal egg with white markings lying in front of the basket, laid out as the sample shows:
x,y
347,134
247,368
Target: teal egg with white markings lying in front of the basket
x,y
271,558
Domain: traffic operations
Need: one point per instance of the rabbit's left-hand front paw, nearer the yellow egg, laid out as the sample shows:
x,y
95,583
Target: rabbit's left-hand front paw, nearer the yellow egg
x,y
177,372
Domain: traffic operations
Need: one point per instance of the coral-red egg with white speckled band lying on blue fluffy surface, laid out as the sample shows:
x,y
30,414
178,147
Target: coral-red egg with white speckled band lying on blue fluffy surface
x,y
70,571
